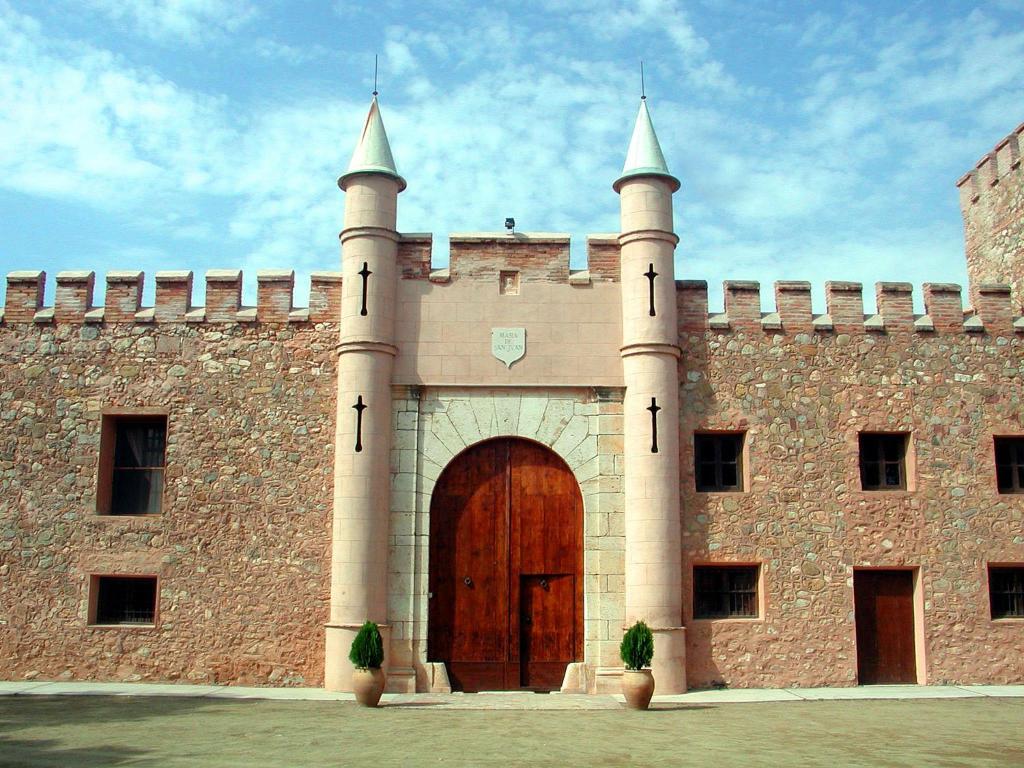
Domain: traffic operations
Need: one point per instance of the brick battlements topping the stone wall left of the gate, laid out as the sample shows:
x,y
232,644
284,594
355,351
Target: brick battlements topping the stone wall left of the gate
x,y
74,298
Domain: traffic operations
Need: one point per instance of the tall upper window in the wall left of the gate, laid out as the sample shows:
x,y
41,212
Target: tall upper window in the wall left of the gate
x,y
132,481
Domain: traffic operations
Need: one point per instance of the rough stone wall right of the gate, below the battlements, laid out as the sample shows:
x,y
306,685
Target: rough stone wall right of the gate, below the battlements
x,y
802,399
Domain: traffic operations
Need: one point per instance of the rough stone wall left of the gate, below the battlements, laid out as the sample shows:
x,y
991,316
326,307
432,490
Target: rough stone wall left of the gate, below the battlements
x,y
241,548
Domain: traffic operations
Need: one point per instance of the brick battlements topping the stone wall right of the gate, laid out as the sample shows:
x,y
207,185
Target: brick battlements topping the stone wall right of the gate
x,y
945,312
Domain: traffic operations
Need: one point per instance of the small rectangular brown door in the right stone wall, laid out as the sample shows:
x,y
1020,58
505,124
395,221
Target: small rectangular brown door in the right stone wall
x,y
884,613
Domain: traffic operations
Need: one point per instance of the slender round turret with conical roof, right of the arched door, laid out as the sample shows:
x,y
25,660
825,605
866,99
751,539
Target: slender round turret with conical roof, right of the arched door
x,y
651,355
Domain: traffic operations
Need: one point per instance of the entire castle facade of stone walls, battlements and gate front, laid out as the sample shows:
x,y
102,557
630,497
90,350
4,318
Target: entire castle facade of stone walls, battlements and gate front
x,y
253,549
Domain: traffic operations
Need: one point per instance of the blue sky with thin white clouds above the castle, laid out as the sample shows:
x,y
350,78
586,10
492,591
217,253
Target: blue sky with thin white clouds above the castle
x,y
815,141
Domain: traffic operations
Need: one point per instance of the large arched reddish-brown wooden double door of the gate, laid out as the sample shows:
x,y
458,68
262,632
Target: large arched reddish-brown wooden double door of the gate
x,y
506,568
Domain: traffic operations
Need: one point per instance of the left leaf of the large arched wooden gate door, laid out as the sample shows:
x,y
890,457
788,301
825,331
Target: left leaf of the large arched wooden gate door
x,y
470,568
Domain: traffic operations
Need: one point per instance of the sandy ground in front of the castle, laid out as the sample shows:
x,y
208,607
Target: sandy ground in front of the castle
x,y
41,730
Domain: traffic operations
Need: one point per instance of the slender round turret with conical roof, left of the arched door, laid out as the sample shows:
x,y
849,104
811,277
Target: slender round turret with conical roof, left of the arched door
x,y
366,356
